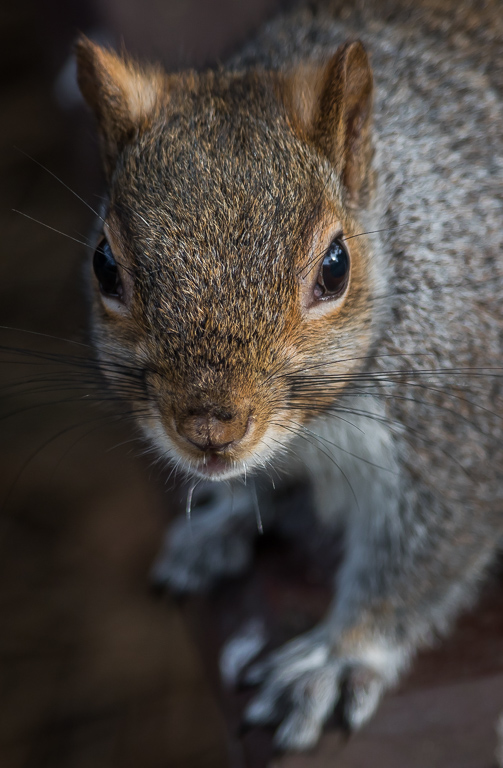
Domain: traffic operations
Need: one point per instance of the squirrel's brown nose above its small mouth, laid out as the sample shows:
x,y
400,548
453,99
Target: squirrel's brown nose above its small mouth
x,y
213,431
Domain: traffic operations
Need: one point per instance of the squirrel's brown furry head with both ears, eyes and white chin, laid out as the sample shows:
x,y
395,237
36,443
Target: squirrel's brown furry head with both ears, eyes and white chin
x,y
230,282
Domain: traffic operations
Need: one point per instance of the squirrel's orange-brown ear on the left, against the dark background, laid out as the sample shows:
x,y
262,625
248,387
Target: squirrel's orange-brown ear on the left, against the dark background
x,y
122,95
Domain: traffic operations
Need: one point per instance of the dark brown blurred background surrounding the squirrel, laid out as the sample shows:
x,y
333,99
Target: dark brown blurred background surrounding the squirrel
x,y
95,672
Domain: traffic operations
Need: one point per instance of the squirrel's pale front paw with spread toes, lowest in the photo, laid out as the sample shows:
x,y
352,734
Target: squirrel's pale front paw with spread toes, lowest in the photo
x,y
300,685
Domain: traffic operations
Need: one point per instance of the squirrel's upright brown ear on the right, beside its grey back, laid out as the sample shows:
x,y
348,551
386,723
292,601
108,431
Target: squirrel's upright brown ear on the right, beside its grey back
x,y
332,105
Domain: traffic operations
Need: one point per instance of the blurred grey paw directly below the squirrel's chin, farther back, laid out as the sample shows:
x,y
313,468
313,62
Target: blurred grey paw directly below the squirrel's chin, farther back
x,y
212,544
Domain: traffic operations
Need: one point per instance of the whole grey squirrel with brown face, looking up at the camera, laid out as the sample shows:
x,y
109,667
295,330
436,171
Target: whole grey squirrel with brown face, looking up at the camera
x,y
300,266
